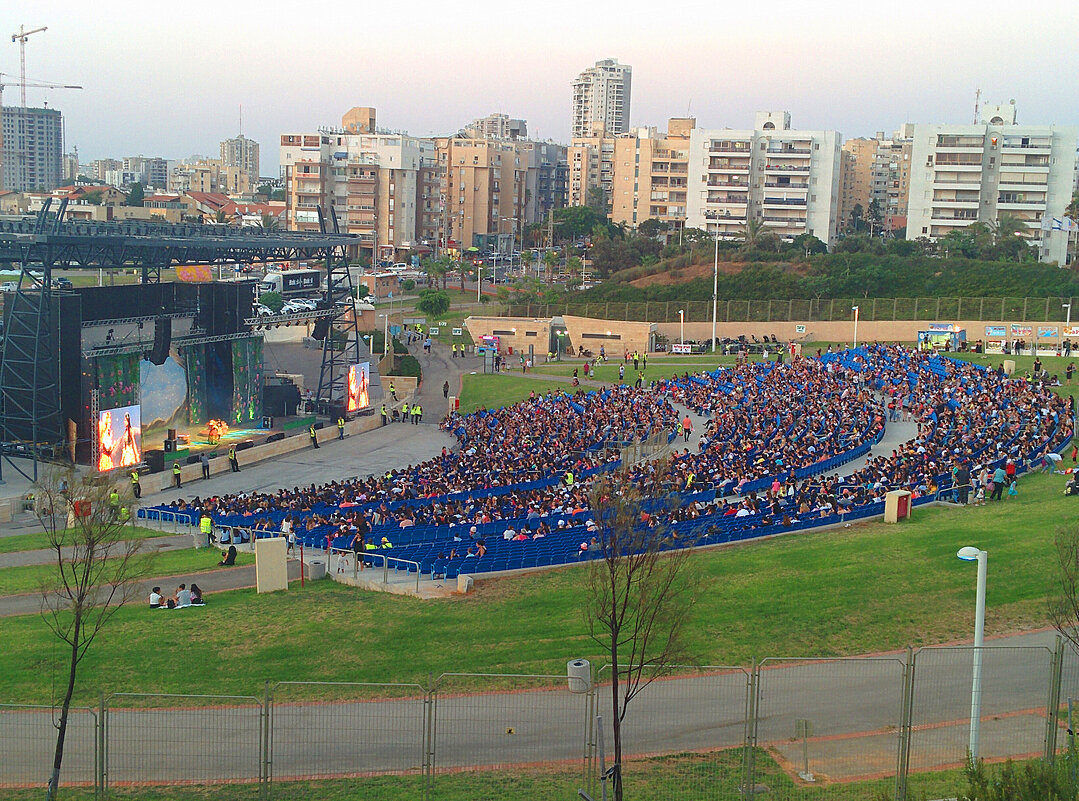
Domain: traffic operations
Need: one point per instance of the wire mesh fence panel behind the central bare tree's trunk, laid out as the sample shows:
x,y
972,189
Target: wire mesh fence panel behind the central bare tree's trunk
x,y
695,717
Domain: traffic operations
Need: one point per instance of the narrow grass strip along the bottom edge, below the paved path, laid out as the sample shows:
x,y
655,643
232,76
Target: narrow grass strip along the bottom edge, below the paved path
x,y
715,777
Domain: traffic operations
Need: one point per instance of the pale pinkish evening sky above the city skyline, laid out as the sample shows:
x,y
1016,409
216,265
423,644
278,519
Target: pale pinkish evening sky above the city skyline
x,y
170,79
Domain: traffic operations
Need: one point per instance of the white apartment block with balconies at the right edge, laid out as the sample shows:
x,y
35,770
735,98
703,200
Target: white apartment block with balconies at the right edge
x,y
966,174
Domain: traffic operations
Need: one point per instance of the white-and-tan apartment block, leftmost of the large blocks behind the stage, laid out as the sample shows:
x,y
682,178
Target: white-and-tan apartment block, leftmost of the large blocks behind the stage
x,y
383,187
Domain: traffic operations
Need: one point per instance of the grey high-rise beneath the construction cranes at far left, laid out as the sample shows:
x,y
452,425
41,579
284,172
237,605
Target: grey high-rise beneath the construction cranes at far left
x,y
33,156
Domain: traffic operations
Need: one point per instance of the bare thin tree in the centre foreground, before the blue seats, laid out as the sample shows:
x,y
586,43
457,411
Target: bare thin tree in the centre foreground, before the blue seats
x,y
641,592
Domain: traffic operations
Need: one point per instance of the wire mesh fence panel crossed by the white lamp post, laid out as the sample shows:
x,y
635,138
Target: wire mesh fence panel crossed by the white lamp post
x,y
1018,687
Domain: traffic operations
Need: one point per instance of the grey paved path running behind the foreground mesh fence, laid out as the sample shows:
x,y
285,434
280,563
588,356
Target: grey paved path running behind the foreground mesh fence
x,y
853,708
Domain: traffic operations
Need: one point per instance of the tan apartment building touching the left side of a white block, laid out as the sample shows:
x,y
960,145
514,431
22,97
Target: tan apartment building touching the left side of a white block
x,y
651,174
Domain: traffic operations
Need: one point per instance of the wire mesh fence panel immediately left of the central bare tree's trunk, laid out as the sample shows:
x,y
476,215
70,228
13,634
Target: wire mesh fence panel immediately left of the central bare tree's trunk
x,y
521,723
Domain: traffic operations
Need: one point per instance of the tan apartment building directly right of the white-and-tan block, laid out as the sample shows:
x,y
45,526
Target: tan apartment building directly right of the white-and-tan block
x,y
489,192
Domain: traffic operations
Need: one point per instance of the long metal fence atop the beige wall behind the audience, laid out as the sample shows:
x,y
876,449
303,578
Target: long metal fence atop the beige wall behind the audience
x,y
1016,310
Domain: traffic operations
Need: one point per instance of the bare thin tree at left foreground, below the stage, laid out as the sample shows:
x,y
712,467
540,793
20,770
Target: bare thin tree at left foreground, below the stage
x,y
98,568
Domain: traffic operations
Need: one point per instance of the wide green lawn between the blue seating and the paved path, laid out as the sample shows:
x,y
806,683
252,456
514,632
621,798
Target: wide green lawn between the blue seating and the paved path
x,y
871,588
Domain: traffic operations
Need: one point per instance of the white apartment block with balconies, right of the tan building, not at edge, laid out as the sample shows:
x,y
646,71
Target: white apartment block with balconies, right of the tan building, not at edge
x,y
787,180
